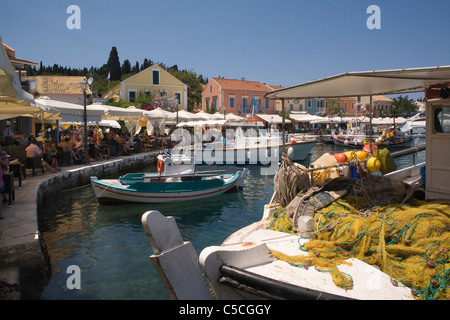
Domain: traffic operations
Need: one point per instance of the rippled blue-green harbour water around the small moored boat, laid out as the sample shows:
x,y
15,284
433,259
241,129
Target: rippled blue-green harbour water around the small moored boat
x,y
110,247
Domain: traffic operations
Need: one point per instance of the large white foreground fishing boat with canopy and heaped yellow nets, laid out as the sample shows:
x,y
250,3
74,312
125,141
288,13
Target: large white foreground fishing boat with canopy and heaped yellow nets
x,y
313,242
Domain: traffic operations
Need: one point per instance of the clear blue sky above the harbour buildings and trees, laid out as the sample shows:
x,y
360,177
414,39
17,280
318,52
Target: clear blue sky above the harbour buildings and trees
x,y
282,42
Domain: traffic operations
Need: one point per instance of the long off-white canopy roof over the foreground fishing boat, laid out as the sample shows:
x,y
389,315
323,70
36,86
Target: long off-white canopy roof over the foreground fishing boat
x,y
366,83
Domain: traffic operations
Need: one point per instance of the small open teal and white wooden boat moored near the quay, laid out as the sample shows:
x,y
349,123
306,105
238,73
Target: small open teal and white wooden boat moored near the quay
x,y
109,192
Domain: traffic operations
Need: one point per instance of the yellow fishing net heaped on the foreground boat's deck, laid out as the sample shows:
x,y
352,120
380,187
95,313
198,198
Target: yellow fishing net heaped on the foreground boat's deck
x,y
410,243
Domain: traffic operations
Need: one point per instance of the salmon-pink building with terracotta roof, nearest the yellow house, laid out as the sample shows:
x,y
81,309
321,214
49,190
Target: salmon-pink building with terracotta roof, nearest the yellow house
x,y
237,96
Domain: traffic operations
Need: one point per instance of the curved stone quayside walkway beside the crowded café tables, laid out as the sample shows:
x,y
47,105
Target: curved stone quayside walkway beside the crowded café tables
x,y
19,235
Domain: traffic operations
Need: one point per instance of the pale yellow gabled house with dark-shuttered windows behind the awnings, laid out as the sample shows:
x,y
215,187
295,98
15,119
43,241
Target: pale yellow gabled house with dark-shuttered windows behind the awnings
x,y
155,80
